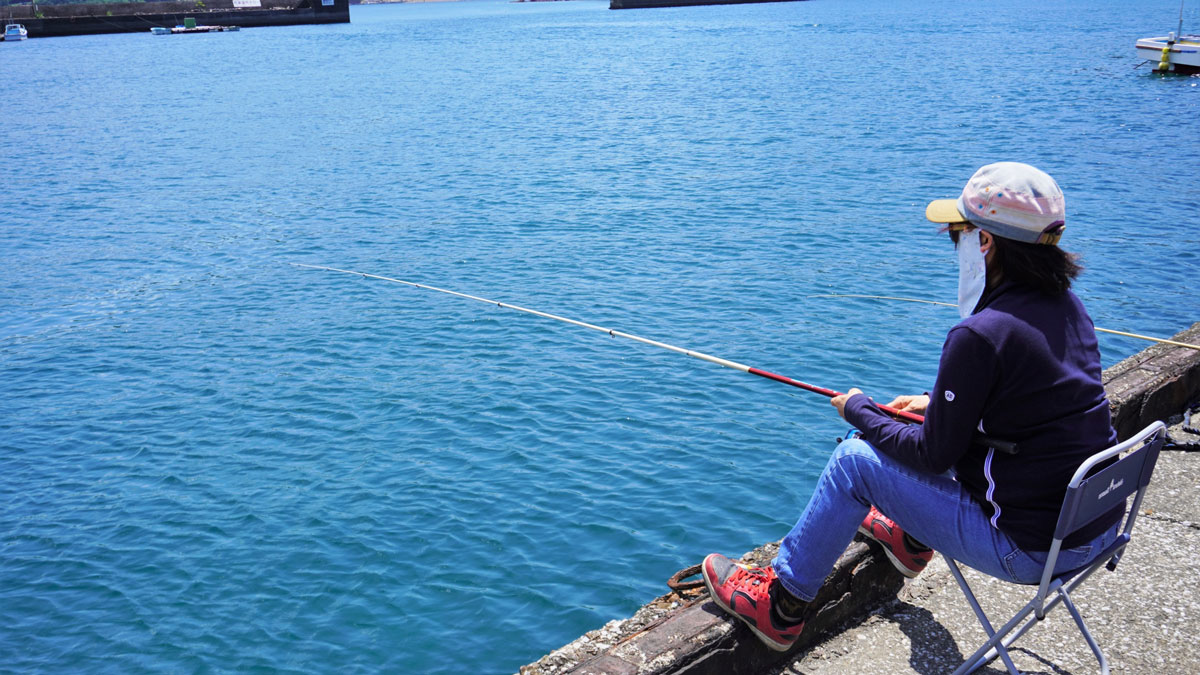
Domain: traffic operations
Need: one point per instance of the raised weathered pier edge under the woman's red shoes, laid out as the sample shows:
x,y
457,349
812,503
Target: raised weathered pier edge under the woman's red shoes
x,y
686,634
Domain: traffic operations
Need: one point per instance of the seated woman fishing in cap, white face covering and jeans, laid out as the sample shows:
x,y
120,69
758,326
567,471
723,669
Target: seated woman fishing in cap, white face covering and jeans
x,y
1023,365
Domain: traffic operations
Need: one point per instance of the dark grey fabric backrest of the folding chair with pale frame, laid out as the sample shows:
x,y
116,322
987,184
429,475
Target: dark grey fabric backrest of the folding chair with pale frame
x,y
1091,494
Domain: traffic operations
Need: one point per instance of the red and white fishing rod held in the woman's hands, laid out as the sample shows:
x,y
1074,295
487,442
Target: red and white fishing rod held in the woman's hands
x,y
1004,446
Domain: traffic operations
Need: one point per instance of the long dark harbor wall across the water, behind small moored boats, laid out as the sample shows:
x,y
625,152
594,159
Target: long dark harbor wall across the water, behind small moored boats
x,y
58,21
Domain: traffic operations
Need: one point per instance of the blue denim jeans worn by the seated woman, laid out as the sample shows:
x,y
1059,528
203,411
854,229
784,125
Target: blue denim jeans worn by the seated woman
x,y
933,509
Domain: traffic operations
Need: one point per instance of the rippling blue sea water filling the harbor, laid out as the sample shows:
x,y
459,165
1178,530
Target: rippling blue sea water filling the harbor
x,y
212,461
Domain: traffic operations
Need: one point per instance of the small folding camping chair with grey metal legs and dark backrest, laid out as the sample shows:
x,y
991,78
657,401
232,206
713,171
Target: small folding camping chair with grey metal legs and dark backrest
x,y
1089,497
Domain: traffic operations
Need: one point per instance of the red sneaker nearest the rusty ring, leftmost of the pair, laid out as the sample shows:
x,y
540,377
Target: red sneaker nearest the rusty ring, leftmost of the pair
x,y
746,593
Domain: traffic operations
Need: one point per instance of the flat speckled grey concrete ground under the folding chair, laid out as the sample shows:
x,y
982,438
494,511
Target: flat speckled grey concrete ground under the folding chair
x,y
1147,614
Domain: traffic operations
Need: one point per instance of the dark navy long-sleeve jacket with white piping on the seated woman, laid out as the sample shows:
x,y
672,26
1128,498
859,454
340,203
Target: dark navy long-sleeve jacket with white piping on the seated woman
x,y
1024,368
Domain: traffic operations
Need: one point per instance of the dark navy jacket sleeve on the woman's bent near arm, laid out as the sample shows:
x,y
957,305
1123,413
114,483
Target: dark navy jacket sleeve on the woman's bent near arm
x,y
965,379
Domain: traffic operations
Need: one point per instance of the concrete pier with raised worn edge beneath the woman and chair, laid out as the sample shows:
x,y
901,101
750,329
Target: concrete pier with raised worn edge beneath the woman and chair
x,y
873,620
